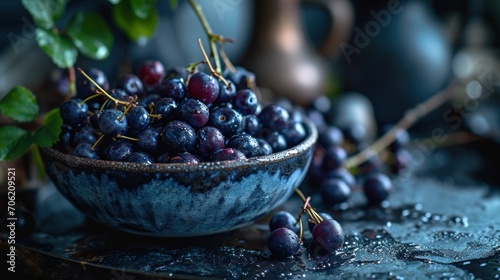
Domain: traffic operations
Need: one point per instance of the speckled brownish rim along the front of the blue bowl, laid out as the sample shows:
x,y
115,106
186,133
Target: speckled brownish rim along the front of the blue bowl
x,y
75,161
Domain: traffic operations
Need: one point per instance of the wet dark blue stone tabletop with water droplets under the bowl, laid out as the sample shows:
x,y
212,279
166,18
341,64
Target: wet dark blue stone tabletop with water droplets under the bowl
x,y
436,225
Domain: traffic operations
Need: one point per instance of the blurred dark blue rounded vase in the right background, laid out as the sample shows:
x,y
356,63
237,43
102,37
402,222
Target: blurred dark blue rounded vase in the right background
x,y
398,55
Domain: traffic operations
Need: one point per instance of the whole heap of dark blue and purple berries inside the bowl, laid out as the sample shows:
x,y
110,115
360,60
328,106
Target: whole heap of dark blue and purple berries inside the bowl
x,y
175,116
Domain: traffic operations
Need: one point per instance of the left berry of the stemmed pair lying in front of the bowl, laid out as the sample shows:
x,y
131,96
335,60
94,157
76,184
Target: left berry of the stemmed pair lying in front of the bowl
x,y
283,243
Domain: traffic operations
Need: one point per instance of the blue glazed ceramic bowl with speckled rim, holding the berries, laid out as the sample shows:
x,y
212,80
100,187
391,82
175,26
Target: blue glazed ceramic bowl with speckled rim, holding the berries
x,y
179,200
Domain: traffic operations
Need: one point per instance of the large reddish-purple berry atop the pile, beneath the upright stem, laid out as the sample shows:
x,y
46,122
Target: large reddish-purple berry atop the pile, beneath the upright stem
x,y
203,87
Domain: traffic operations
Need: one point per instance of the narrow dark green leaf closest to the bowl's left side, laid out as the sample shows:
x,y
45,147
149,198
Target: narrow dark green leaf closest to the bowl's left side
x,y
48,134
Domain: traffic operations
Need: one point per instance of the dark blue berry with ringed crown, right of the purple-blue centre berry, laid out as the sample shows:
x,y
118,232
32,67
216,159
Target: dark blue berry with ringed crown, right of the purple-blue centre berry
x,y
227,120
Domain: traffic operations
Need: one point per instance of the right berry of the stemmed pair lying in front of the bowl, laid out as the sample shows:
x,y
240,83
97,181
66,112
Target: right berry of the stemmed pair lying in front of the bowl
x,y
329,235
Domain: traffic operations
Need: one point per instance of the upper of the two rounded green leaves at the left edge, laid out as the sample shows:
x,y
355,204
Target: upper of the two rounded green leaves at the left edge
x,y
19,104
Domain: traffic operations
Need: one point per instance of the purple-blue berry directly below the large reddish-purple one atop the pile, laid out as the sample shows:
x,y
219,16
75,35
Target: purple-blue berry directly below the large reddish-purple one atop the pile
x,y
193,112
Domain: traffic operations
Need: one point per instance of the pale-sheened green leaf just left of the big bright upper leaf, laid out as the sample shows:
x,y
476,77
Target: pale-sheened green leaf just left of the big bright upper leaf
x,y
58,47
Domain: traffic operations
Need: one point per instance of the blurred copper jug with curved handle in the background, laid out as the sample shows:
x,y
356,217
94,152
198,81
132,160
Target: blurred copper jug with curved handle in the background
x,y
281,57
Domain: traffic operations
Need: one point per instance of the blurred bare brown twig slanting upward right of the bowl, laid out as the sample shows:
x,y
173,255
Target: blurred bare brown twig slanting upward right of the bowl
x,y
411,117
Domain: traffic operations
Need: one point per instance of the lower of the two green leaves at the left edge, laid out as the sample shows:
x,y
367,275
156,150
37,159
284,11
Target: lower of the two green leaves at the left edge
x,y
14,142
